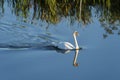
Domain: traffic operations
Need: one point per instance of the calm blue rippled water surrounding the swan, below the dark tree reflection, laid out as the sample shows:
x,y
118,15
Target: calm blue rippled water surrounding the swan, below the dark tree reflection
x,y
98,60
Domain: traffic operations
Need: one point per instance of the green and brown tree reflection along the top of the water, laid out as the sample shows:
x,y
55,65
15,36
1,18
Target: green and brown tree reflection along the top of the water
x,y
52,11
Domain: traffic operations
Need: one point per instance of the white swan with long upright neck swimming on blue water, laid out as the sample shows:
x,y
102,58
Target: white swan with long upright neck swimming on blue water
x,y
69,46
